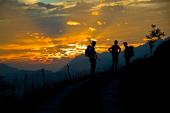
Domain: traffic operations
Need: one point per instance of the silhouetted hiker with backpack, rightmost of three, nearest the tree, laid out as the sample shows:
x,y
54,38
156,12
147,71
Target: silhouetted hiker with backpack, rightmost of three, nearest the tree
x,y
128,53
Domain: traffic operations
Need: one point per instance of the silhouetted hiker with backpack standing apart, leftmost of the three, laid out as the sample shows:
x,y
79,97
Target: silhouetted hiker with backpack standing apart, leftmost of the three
x,y
91,53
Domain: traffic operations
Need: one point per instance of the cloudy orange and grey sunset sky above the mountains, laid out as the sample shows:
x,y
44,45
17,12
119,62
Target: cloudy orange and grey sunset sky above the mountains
x,y
54,32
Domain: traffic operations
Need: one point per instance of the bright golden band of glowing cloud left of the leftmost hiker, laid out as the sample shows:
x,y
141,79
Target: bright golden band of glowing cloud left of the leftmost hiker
x,y
38,48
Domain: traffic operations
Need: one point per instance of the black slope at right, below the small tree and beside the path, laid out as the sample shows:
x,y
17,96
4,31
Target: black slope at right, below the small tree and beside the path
x,y
146,87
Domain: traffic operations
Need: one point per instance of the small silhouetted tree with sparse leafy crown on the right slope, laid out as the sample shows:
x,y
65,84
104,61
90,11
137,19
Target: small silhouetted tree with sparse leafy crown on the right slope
x,y
154,35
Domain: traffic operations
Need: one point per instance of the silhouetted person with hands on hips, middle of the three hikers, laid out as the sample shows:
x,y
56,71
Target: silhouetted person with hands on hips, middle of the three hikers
x,y
115,50
